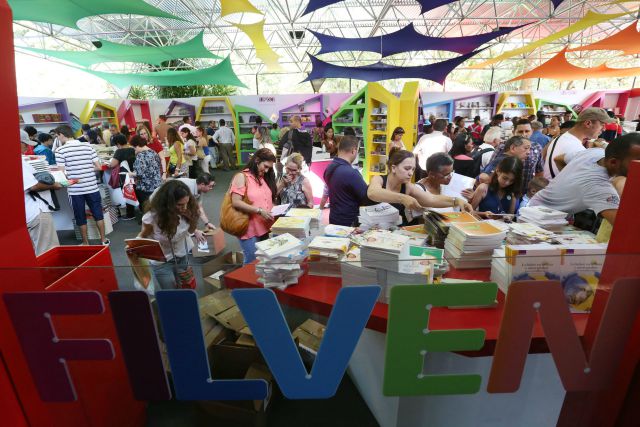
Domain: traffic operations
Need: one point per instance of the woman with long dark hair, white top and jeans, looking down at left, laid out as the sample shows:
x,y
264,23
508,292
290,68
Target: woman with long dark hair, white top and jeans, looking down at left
x,y
172,216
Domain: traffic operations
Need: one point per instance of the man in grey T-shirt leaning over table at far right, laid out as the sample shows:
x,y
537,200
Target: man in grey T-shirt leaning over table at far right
x,y
586,181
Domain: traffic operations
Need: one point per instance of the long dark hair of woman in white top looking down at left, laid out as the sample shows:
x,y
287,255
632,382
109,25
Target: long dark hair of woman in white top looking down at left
x,y
163,205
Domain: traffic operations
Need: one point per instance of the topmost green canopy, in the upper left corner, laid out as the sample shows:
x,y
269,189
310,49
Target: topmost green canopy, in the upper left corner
x,y
69,12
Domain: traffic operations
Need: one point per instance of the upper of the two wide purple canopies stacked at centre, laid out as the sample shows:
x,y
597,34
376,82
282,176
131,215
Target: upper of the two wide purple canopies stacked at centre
x,y
408,39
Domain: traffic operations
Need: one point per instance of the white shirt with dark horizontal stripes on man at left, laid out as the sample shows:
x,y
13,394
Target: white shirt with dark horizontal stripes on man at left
x,y
78,159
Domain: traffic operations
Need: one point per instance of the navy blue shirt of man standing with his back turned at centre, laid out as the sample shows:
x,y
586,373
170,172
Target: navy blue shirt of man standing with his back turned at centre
x,y
347,192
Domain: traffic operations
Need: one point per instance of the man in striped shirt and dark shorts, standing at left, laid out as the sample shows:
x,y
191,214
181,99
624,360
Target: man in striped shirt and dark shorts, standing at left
x,y
80,161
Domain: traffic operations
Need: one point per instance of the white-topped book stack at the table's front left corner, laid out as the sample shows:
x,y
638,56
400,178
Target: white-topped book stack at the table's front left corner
x,y
279,260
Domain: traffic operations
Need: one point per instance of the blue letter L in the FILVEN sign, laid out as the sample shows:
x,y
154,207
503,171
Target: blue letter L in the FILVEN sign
x,y
188,358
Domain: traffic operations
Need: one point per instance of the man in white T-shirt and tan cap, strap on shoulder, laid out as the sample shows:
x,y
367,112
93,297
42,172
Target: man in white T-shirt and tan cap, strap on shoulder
x,y
589,125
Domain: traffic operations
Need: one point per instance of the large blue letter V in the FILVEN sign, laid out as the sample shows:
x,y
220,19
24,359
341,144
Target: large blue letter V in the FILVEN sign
x,y
268,326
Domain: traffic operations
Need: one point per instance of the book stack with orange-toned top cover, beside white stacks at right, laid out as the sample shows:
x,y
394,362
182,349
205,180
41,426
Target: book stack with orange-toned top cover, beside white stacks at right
x,y
471,245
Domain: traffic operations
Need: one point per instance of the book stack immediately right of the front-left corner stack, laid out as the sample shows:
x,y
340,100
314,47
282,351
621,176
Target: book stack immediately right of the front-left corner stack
x,y
325,255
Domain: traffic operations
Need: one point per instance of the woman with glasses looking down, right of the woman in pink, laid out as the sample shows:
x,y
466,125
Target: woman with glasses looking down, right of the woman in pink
x,y
294,188
